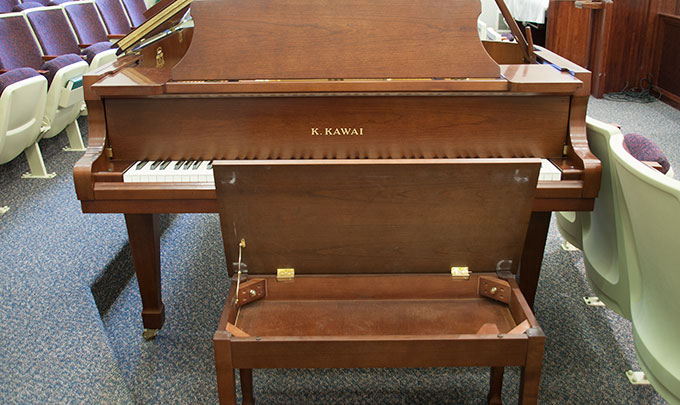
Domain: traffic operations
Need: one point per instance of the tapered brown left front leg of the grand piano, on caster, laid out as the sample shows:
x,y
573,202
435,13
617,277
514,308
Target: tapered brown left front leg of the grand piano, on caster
x,y
144,236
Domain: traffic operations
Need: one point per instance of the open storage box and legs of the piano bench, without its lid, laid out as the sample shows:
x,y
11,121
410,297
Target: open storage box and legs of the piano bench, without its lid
x,y
378,321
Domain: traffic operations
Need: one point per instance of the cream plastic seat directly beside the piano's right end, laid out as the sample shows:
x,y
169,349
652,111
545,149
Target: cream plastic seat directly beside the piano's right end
x,y
599,233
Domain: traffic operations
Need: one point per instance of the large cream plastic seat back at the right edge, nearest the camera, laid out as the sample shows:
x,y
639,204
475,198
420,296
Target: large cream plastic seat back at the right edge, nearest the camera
x,y
651,216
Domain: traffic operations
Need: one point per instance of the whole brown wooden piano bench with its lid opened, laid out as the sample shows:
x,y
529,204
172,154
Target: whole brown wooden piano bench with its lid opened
x,y
376,263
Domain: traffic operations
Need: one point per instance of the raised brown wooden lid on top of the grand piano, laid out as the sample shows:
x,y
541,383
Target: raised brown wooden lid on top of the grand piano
x,y
326,39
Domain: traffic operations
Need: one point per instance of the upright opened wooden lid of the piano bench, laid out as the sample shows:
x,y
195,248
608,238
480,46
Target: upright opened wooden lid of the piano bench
x,y
375,216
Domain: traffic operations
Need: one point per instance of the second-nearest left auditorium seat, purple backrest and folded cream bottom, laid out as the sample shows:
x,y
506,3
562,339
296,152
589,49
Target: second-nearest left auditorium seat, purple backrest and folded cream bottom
x,y
18,48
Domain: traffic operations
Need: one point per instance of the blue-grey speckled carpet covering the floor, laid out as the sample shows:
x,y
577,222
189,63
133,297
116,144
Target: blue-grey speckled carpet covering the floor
x,y
70,324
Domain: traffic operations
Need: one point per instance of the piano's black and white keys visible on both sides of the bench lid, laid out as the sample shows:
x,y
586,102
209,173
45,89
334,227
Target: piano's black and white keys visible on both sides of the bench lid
x,y
183,171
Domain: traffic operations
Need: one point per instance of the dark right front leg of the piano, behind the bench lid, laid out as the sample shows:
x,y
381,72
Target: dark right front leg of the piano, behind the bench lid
x,y
532,255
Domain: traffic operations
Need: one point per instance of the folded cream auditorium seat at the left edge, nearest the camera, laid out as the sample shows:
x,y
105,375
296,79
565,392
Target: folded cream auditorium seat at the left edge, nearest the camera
x,y
23,94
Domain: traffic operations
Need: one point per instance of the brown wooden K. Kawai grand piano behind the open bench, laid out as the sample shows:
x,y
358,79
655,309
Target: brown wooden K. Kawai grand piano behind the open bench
x,y
323,79
